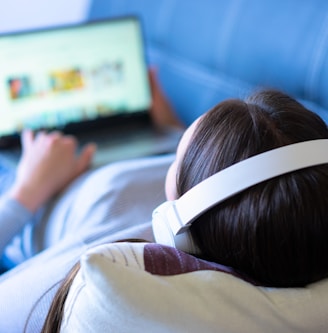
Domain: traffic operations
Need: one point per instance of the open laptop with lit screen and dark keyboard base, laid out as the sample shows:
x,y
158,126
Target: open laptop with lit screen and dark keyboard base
x,y
88,79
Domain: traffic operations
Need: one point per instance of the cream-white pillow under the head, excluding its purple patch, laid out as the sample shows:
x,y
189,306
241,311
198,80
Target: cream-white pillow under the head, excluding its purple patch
x,y
113,293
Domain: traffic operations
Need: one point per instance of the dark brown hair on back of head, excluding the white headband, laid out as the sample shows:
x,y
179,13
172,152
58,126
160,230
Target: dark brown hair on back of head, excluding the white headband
x,y
275,232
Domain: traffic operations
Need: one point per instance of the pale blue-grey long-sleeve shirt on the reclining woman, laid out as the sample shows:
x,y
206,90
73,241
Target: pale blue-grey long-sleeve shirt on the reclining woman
x,y
105,205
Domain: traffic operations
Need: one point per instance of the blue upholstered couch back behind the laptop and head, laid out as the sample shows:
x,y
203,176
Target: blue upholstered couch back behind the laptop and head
x,y
210,50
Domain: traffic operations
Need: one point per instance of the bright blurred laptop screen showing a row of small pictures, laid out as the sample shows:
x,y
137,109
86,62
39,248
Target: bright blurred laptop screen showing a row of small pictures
x,y
54,77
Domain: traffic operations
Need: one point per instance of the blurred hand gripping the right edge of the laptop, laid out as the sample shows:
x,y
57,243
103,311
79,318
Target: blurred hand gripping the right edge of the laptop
x,y
161,111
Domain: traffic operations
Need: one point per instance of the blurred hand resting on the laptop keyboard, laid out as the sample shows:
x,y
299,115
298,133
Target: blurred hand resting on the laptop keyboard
x,y
49,163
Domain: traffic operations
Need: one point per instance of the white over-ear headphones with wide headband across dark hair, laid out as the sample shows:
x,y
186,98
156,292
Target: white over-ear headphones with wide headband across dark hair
x,y
172,219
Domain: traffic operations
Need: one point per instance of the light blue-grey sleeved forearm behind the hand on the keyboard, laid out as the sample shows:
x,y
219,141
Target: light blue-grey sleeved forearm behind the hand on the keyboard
x,y
13,217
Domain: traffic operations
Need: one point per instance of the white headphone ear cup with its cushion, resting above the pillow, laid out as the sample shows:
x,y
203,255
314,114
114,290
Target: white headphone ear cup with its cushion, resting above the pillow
x,y
163,232
